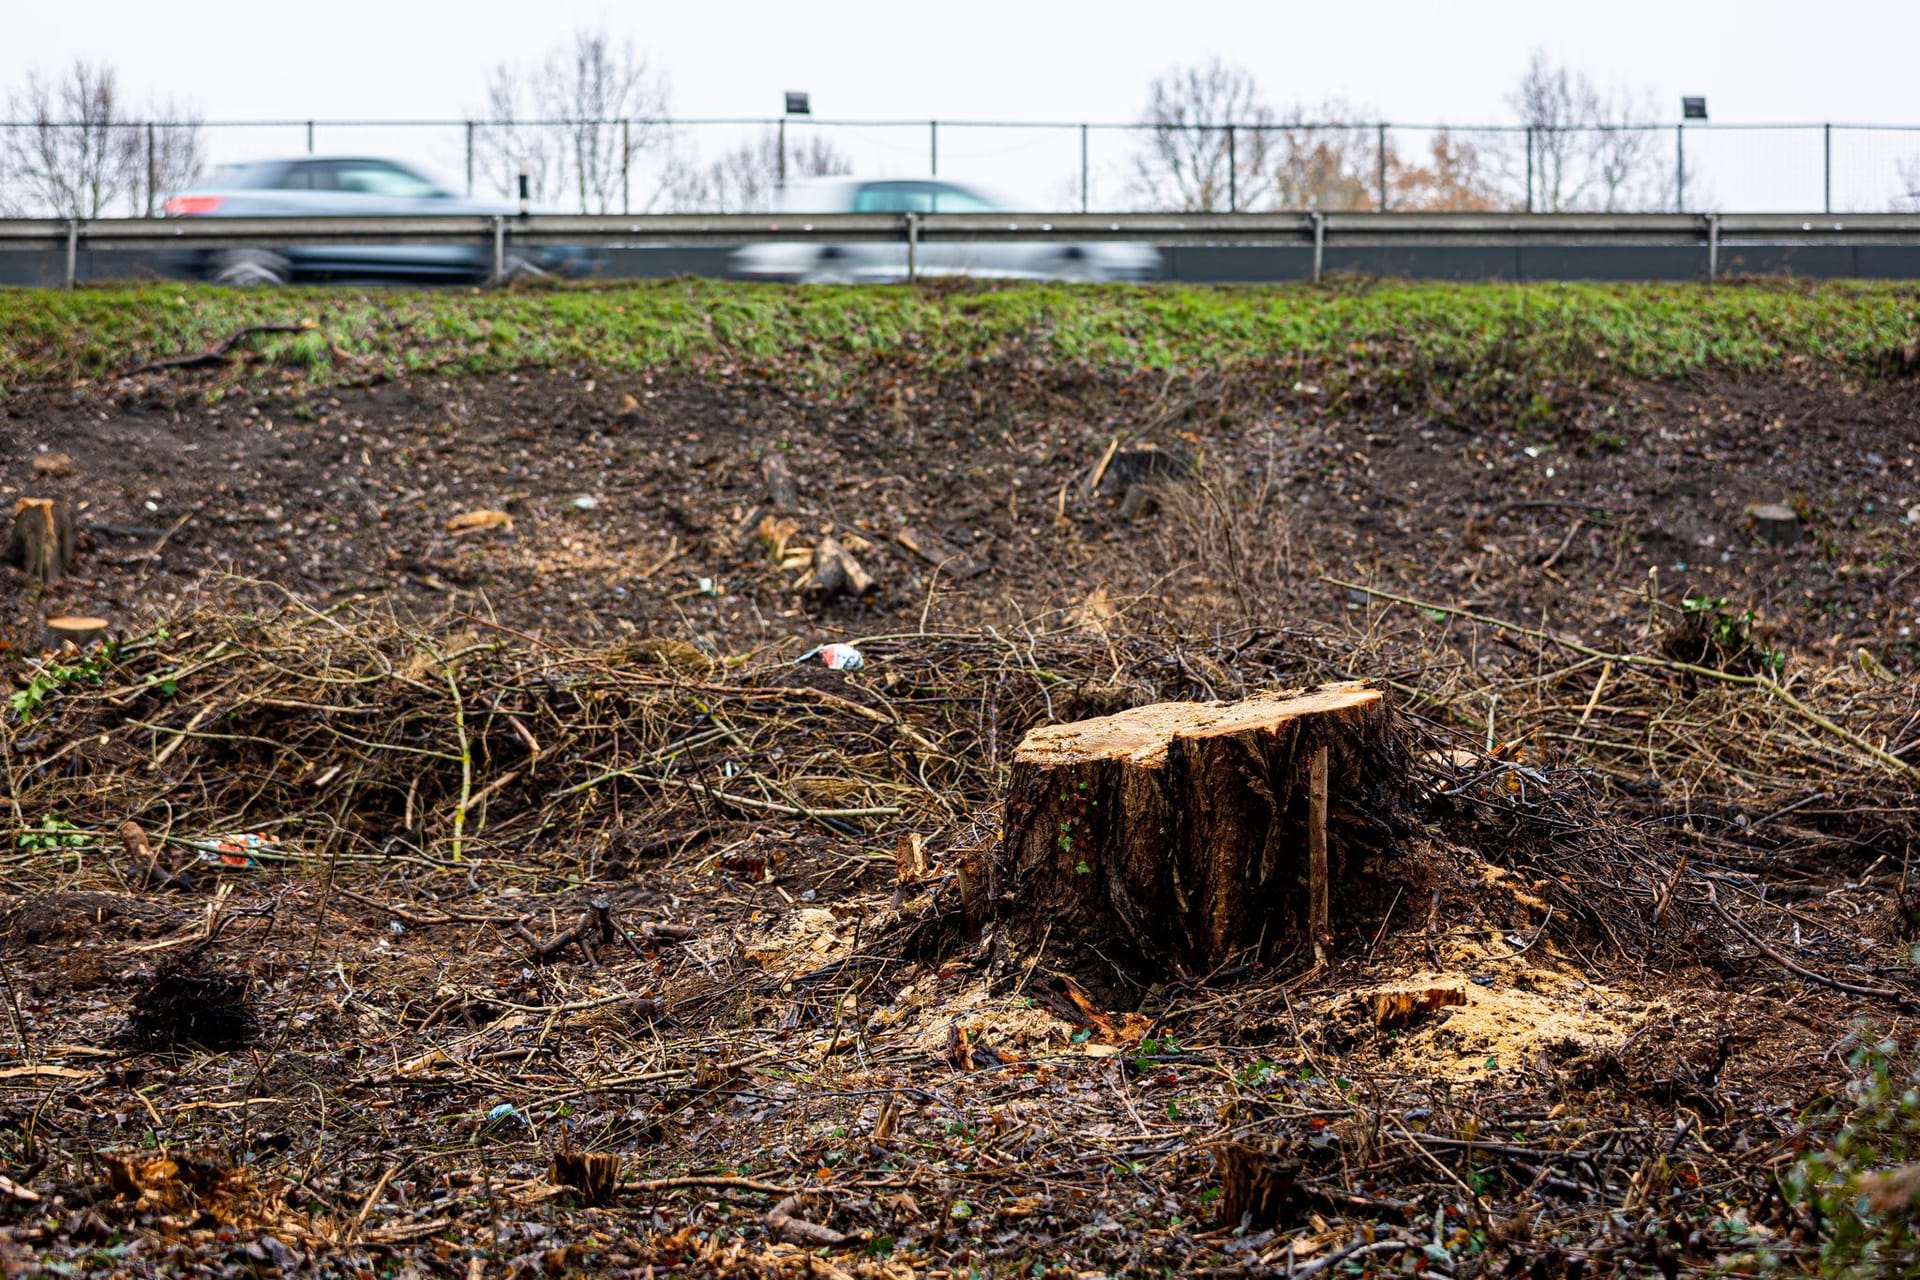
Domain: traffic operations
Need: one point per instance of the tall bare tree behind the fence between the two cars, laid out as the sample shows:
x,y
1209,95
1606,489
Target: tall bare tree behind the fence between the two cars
x,y
575,124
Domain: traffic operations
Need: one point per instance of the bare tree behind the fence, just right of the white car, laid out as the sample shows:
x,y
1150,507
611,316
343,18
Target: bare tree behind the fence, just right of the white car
x,y
1209,141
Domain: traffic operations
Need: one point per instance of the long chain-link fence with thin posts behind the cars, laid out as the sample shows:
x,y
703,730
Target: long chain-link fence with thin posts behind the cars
x,y
742,164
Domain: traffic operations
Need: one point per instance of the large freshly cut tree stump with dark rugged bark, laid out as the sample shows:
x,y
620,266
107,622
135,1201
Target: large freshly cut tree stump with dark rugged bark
x,y
1180,838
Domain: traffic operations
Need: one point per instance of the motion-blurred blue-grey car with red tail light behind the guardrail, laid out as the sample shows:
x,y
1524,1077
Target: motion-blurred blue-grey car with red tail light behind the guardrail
x,y
348,187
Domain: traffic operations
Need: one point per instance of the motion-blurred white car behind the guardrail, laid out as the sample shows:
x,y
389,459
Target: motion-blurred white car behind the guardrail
x,y
875,262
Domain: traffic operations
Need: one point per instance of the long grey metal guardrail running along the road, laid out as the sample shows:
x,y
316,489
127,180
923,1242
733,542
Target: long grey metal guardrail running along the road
x,y
1710,231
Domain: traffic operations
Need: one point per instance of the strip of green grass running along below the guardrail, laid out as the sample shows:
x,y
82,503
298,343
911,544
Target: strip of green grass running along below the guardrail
x,y
1435,335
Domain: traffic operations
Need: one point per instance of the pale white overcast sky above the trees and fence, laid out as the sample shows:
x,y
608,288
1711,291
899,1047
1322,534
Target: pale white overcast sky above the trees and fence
x,y
1449,60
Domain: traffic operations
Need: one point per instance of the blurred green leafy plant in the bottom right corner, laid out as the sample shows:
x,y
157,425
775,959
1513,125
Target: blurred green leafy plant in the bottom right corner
x,y
1860,1195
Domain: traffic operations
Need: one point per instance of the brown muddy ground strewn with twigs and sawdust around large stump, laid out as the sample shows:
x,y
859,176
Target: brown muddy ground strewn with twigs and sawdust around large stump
x,y
375,1070
